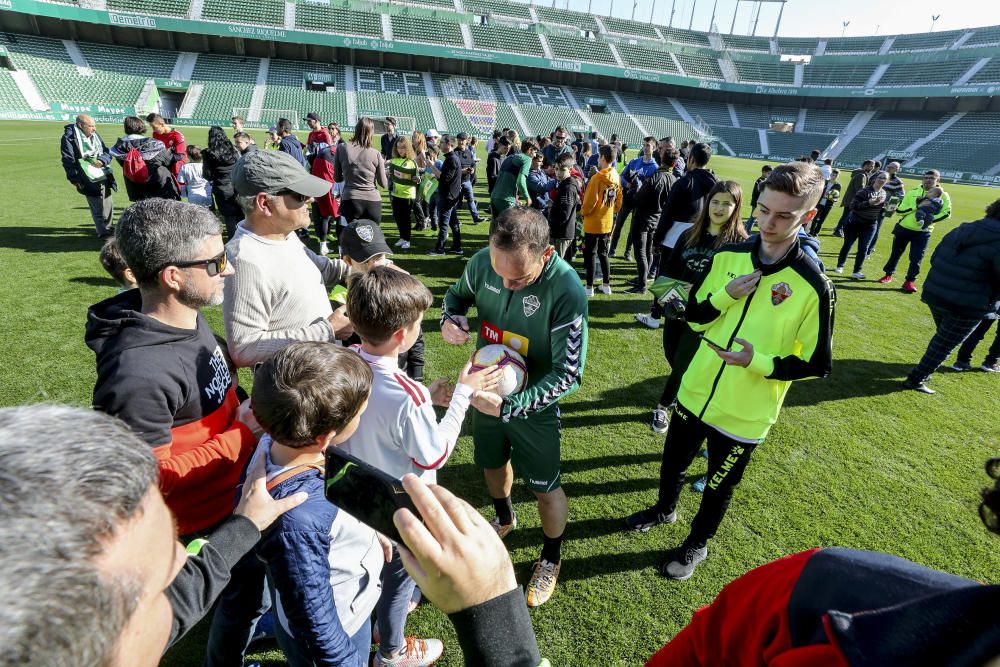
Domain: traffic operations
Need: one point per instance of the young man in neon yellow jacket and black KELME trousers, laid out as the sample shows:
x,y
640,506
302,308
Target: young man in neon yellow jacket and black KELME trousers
x,y
765,313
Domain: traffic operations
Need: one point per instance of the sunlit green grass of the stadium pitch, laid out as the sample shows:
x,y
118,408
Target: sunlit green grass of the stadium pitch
x,y
853,460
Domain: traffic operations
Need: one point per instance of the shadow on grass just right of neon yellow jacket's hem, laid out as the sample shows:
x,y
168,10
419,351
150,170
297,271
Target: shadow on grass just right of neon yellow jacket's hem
x,y
851,378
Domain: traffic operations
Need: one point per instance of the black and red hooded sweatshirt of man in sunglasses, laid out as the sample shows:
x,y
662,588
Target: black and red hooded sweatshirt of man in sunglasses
x,y
173,388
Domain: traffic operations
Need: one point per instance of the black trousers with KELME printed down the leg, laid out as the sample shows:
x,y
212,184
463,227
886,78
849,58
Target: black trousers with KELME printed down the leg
x,y
727,459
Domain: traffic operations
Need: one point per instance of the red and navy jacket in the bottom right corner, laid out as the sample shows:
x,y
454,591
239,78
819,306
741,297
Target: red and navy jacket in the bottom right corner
x,y
837,607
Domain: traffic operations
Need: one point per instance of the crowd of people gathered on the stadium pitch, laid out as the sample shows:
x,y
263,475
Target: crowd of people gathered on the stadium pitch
x,y
176,449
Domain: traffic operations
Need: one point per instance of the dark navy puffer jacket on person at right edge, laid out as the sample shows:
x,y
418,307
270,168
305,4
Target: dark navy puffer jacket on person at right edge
x,y
965,270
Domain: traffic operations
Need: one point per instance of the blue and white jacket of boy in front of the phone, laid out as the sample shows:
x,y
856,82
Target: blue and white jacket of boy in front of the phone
x,y
298,552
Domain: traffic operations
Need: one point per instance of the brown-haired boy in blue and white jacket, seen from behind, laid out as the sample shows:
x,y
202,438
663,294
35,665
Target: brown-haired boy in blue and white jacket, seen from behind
x,y
323,564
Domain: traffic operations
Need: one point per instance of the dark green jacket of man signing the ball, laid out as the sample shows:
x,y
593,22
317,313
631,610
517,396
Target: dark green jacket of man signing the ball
x,y
546,322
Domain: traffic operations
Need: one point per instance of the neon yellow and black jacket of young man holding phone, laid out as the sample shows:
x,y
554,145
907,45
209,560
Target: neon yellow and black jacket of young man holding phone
x,y
789,321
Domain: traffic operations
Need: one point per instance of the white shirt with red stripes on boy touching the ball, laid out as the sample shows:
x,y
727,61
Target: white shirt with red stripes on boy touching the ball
x,y
399,432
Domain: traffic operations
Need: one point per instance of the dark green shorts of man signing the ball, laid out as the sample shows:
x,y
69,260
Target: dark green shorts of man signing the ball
x,y
531,445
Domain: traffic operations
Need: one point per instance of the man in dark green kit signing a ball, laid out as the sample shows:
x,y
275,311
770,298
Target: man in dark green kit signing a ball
x,y
529,299
